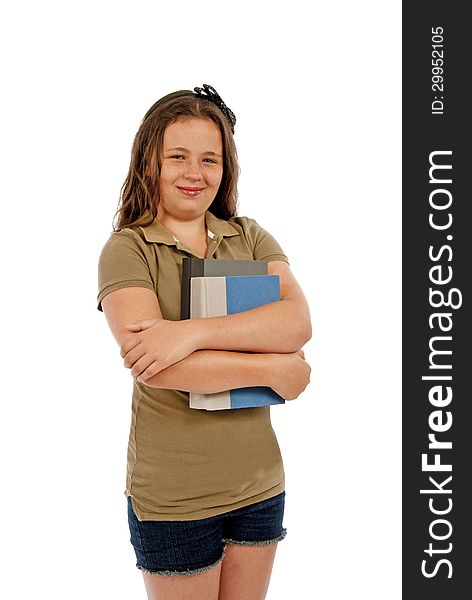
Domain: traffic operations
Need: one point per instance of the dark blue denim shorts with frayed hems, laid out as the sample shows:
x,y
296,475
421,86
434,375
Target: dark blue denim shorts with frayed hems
x,y
190,547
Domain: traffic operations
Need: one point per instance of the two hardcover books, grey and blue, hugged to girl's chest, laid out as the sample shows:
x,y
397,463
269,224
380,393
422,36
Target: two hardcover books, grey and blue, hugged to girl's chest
x,y
213,288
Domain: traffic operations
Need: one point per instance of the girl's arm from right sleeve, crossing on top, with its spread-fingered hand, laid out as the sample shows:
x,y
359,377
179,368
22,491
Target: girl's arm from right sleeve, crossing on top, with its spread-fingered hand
x,y
278,327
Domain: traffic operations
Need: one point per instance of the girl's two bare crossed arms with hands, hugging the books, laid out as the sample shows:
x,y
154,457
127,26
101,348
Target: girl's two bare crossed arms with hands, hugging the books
x,y
210,355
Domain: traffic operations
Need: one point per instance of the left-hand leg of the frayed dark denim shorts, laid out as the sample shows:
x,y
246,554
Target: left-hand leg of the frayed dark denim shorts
x,y
176,547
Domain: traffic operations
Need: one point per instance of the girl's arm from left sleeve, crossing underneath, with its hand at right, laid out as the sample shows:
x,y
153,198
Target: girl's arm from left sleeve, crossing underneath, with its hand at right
x,y
205,371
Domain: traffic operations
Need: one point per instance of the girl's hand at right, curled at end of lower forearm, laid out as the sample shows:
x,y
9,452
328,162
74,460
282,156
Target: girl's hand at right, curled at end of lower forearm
x,y
290,374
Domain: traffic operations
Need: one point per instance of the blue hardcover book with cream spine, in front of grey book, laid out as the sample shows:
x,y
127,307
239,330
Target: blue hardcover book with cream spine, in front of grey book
x,y
219,296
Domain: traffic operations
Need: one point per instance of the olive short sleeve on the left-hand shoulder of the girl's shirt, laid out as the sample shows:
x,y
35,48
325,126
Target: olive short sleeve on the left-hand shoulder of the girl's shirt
x,y
124,262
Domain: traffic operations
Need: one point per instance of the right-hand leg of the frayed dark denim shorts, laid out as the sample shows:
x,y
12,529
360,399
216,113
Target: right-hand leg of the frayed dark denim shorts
x,y
258,524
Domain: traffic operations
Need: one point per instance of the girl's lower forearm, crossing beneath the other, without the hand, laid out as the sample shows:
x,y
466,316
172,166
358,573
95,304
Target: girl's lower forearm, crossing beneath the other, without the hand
x,y
212,371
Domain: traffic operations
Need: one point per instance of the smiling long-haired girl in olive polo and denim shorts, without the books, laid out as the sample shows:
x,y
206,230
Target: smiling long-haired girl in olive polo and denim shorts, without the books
x,y
205,489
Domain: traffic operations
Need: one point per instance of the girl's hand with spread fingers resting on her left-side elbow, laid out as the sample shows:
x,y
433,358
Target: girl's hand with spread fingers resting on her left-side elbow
x,y
154,345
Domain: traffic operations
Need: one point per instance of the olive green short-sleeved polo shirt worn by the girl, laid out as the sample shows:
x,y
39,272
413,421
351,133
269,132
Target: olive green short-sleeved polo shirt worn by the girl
x,y
183,463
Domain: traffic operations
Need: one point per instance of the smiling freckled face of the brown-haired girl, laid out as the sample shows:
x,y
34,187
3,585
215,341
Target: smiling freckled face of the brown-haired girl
x,y
192,168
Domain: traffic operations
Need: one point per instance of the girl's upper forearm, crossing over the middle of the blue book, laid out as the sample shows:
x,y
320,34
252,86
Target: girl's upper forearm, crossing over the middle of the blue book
x,y
281,326
